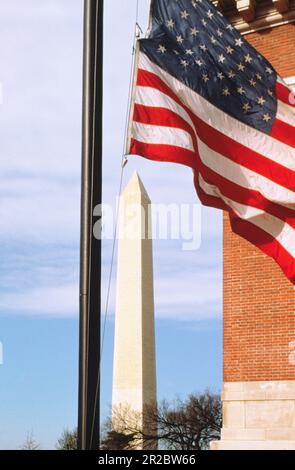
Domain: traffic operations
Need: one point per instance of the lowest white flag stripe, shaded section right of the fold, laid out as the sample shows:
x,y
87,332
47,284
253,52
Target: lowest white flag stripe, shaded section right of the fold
x,y
275,227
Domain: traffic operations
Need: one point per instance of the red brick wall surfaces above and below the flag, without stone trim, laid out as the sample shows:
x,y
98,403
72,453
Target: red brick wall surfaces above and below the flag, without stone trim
x,y
259,302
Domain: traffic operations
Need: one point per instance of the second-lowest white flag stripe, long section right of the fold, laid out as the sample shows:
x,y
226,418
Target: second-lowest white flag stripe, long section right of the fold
x,y
244,177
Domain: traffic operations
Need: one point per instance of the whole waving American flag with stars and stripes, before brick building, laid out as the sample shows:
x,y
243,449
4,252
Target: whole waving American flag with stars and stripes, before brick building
x,y
204,97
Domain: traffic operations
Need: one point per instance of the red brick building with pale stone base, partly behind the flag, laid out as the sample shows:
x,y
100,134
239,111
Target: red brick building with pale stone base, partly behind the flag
x,y
259,302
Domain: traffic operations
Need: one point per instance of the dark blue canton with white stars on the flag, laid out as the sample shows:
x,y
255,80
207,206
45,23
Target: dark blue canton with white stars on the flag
x,y
193,41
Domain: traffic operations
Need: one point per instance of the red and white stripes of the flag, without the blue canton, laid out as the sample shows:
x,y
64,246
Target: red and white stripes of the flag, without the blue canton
x,y
237,168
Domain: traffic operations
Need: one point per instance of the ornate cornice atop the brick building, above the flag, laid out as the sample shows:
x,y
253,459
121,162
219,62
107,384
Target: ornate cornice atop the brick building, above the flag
x,y
254,15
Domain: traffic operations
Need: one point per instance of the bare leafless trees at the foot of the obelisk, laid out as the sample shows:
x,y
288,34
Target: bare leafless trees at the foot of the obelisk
x,y
183,425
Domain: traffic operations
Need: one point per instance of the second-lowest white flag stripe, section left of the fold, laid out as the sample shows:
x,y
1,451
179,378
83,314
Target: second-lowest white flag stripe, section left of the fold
x,y
155,98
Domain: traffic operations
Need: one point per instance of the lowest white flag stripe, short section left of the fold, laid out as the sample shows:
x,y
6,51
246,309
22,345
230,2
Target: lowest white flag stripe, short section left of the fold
x,y
161,135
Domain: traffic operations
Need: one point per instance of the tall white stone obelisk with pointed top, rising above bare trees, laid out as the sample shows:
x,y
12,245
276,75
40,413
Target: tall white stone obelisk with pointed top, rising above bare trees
x,y
134,375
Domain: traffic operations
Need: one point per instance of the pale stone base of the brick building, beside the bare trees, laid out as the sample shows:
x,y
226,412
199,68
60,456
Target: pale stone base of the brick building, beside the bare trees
x,y
258,415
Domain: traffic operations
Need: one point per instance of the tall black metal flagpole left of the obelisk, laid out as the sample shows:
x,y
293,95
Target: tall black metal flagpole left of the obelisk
x,y
90,262
